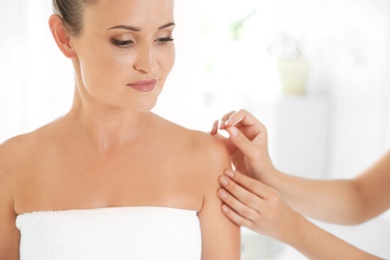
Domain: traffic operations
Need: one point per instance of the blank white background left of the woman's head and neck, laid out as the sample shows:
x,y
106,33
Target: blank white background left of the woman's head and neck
x,y
36,80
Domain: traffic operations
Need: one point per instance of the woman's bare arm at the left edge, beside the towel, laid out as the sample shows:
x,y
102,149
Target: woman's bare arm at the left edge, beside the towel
x,y
9,235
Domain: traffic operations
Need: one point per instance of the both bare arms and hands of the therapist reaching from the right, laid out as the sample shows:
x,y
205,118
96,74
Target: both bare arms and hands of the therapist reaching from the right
x,y
260,197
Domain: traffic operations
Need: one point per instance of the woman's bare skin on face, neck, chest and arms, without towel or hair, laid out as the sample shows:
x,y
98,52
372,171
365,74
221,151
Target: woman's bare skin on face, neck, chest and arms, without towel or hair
x,y
109,149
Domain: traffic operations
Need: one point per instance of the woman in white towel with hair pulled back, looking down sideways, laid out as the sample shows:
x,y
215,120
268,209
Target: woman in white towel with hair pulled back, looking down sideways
x,y
110,179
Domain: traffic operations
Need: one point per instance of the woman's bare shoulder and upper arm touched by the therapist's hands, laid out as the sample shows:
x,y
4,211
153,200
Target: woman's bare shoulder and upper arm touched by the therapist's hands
x,y
208,158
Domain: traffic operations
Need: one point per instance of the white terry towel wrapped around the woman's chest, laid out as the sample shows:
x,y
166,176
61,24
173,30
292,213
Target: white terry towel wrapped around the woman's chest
x,y
144,233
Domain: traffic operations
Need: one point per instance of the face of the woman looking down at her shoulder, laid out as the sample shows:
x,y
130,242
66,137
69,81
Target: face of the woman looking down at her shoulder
x,y
125,52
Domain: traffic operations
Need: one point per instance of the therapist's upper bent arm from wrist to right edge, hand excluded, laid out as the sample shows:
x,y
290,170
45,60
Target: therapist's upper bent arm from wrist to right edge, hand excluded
x,y
339,201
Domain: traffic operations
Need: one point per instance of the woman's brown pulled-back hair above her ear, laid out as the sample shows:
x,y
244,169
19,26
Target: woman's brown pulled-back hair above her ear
x,y
72,13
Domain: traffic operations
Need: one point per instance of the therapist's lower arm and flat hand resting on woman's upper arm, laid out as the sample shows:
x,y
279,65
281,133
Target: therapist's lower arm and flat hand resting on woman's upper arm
x,y
258,207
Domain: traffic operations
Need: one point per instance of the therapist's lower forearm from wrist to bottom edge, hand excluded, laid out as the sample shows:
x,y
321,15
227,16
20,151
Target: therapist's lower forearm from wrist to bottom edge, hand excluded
x,y
316,243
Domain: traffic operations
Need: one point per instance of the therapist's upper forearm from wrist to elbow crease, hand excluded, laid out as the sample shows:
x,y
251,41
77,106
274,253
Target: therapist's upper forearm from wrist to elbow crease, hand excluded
x,y
336,201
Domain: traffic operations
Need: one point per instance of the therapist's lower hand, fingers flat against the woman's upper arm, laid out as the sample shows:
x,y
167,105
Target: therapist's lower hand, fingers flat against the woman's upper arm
x,y
252,204
